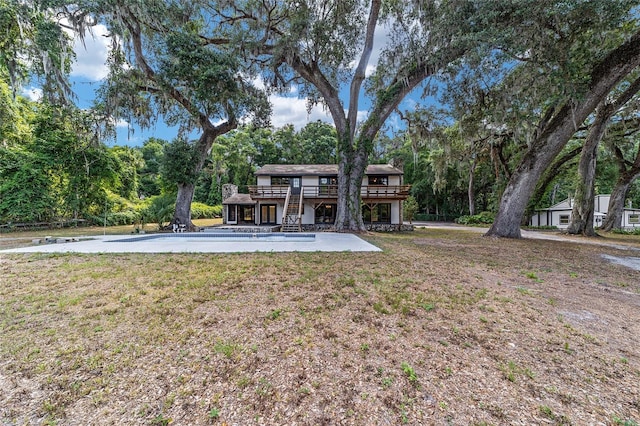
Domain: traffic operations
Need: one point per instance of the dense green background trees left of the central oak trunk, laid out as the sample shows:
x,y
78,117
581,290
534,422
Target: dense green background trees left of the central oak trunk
x,y
56,167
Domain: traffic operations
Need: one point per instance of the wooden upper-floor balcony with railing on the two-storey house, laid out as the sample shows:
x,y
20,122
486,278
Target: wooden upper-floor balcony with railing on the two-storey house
x,y
370,192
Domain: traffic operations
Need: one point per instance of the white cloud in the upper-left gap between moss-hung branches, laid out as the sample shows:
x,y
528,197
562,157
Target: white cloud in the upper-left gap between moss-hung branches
x,y
91,56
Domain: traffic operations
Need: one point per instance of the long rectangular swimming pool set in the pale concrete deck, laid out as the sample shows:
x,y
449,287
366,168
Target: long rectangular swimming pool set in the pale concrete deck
x,y
222,237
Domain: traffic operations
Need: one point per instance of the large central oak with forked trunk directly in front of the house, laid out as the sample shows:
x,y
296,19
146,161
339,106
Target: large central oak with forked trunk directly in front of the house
x,y
326,46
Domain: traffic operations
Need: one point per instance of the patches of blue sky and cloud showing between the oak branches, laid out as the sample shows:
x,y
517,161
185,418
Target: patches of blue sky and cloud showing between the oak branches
x,y
89,70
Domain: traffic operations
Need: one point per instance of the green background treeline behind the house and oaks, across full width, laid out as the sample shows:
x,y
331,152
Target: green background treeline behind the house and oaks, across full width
x,y
56,167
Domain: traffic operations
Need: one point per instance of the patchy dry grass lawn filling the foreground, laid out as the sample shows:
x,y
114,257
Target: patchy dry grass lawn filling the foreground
x,y
442,327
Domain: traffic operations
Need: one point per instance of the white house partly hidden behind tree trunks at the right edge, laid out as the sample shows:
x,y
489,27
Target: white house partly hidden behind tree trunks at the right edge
x,y
559,215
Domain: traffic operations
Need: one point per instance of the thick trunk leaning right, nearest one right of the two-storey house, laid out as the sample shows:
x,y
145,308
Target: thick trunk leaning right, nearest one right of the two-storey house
x,y
604,77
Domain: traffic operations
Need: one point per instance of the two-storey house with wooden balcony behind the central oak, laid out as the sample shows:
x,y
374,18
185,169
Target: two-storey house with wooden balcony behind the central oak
x,y
304,197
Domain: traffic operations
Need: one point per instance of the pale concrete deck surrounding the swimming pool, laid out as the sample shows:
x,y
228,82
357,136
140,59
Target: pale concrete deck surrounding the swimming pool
x,y
324,241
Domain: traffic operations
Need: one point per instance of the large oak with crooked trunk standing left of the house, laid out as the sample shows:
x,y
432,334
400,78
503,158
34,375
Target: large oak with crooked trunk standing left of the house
x,y
167,63
